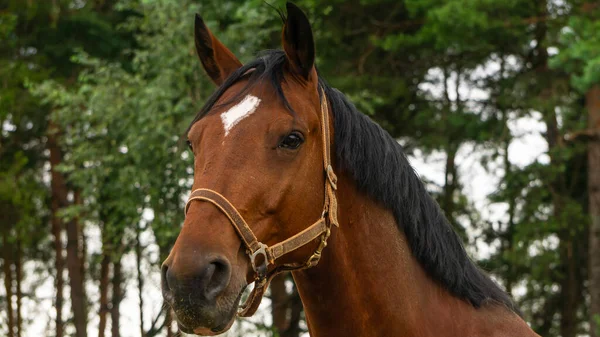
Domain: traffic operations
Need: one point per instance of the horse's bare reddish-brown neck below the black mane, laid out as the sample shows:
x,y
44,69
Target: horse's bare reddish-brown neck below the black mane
x,y
369,284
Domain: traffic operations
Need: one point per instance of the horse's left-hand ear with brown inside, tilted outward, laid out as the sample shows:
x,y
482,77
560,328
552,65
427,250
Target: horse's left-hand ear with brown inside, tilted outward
x,y
218,61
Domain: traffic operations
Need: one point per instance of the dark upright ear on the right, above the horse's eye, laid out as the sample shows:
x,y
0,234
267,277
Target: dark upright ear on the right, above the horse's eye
x,y
298,41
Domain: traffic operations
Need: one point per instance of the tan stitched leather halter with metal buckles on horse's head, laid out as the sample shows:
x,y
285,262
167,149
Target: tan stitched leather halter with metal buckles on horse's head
x,y
254,248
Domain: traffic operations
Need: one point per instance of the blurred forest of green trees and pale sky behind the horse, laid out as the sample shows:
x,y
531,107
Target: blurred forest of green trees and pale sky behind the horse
x,y
497,104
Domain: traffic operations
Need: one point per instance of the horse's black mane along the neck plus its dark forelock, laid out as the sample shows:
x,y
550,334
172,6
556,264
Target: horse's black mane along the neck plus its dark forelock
x,y
380,169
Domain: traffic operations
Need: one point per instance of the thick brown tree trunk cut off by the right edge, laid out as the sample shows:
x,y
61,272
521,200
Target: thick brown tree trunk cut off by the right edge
x,y
593,107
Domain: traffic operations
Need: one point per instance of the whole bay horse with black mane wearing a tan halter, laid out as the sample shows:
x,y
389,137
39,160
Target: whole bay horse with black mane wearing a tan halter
x,y
288,175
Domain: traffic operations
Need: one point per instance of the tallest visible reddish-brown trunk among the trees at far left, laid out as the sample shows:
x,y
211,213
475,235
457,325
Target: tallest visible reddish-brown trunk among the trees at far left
x,y
58,200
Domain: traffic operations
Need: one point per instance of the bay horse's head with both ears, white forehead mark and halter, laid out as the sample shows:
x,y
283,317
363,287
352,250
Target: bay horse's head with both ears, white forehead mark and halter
x,y
261,160
